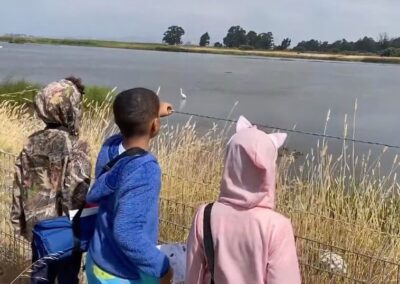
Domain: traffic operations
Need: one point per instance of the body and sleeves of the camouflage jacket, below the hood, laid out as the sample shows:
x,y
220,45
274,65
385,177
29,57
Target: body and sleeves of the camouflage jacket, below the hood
x,y
52,176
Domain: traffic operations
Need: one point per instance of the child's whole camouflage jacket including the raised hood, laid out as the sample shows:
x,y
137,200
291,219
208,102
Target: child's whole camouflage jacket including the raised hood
x,y
52,173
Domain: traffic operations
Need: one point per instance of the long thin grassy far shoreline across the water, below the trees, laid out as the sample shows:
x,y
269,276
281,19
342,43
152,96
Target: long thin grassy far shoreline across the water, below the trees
x,y
203,50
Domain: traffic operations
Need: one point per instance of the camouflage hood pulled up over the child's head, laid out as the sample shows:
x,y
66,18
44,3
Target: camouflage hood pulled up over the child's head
x,y
59,104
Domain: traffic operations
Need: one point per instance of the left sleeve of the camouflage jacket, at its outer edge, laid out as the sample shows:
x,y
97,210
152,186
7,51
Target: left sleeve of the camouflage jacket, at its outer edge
x,y
18,195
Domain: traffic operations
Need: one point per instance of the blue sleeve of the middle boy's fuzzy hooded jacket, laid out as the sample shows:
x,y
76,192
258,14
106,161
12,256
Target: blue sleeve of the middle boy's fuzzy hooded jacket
x,y
135,206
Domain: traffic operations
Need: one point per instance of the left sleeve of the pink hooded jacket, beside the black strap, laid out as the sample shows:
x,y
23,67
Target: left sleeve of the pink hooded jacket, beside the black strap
x,y
196,262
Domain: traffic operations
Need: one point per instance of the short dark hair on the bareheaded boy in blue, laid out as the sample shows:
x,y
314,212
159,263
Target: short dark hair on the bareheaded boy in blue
x,y
134,109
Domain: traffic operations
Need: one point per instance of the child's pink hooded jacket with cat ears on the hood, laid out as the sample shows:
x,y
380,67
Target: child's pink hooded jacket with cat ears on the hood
x,y
252,243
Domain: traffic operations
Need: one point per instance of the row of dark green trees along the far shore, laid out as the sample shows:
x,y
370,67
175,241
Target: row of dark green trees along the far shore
x,y
238,37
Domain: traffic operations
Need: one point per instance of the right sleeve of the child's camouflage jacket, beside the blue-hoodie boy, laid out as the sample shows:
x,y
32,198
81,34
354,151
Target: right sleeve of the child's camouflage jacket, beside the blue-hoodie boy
x,y
77,176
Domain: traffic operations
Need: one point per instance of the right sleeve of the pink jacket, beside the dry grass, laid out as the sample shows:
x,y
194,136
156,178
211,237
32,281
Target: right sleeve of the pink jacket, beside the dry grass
x,y
283,266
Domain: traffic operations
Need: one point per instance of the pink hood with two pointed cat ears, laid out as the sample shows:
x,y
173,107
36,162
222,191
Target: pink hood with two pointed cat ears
x,y
249,176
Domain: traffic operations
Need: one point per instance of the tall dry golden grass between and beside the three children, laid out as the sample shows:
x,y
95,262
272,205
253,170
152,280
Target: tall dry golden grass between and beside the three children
x,y
342,202
